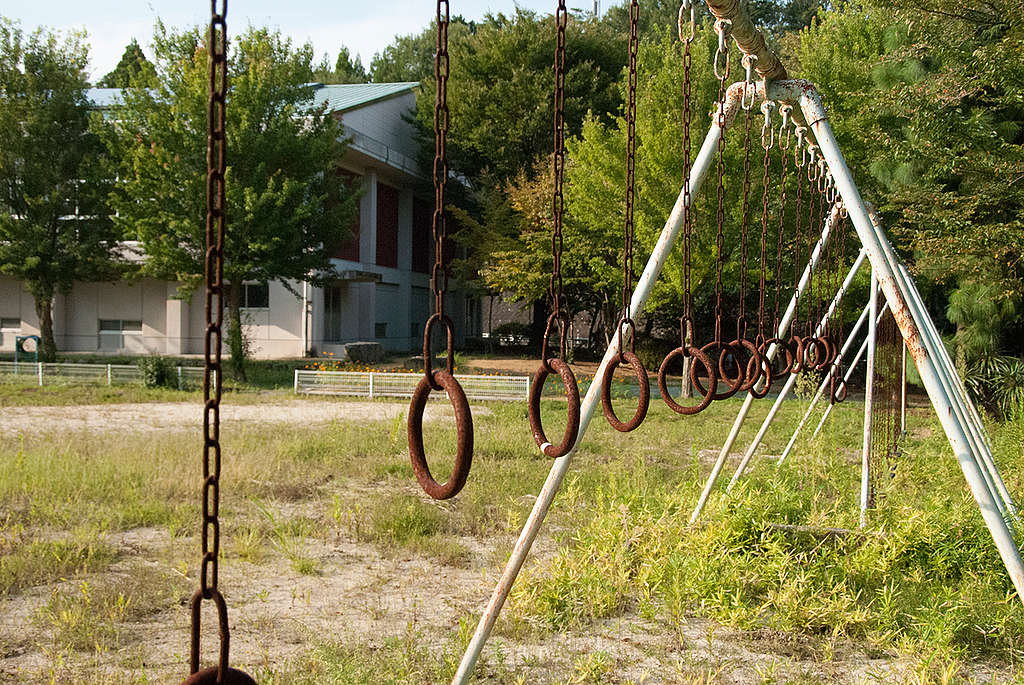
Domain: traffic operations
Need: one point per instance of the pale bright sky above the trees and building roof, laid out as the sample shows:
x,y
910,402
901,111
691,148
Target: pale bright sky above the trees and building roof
x,y
366,27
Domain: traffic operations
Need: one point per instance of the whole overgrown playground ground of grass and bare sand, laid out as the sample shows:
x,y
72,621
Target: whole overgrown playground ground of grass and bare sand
x,y
342,571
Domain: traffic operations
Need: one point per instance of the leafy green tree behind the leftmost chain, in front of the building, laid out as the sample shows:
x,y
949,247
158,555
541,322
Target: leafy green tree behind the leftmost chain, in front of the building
x,y
288,208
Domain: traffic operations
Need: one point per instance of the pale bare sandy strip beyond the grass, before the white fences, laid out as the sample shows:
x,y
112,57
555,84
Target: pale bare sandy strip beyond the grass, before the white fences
x,y
161,416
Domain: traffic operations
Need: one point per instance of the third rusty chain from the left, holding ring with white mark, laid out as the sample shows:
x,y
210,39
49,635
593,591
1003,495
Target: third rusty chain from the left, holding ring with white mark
x,y
559,201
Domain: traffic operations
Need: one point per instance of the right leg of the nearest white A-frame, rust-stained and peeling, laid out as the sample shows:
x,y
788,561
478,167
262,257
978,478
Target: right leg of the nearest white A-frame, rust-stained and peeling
x,y
893,285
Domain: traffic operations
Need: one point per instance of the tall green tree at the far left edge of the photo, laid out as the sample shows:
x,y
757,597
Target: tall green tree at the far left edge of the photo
x,y
54,224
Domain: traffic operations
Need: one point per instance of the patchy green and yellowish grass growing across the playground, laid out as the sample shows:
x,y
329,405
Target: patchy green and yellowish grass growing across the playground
x,y
931,589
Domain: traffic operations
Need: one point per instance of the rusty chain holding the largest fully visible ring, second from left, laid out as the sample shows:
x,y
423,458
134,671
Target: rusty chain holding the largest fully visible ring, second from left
x,y
440,276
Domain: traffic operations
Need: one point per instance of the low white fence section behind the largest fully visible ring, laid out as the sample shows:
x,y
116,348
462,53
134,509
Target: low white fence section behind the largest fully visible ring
x,y
377,384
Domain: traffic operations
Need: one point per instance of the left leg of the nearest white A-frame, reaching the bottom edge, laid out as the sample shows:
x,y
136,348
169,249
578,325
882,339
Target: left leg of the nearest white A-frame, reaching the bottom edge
x,y
661,253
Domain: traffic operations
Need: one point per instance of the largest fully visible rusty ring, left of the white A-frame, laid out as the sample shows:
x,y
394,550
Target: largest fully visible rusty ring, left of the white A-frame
x,y
464,429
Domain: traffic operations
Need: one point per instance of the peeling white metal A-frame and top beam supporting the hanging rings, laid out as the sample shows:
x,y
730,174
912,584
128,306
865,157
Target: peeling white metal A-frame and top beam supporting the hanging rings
x,y
957,414
